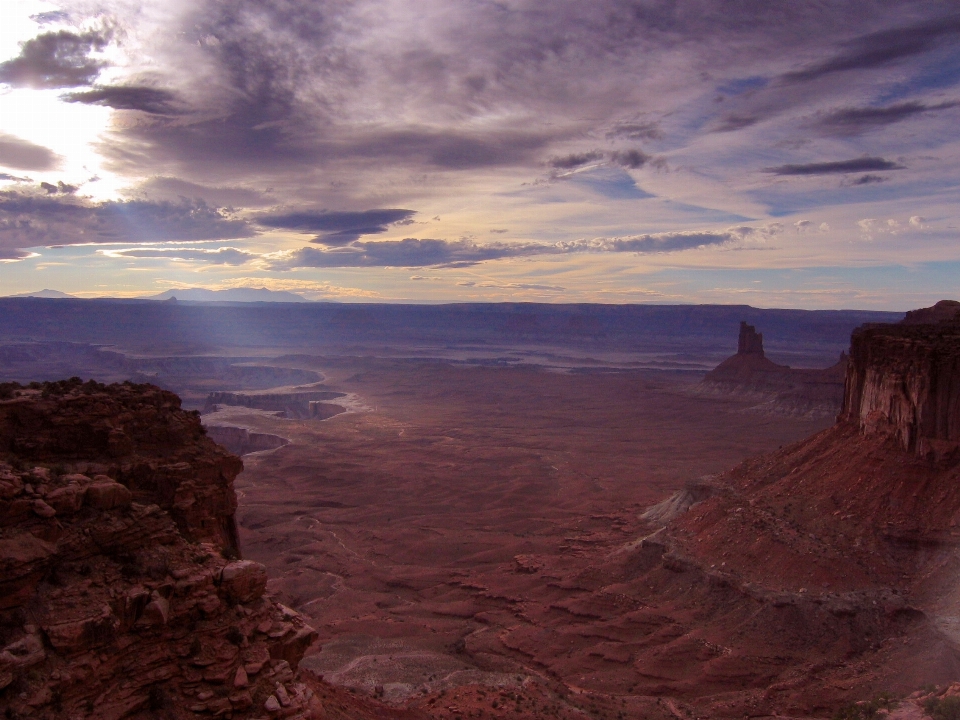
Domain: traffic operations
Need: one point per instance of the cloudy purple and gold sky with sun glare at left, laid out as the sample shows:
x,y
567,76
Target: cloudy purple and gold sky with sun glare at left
x,y
802,154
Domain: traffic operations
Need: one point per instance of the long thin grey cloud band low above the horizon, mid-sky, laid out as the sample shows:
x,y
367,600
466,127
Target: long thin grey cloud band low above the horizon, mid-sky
x,y
414,252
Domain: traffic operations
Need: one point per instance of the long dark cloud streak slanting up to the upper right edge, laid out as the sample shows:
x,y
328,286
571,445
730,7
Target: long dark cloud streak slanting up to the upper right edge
x,y
882,48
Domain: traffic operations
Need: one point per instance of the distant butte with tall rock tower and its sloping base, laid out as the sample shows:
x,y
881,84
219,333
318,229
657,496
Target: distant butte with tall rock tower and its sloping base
x,y
778,389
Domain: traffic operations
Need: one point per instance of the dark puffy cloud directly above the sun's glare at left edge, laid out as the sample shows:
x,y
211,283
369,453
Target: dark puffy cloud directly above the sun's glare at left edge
x,y
54,60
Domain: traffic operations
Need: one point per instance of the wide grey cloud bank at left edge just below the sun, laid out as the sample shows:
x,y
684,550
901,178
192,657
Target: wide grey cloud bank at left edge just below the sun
x,y
31,220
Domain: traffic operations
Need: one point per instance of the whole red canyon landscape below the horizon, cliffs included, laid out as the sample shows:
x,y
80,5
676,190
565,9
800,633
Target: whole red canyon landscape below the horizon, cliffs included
x,y
483,528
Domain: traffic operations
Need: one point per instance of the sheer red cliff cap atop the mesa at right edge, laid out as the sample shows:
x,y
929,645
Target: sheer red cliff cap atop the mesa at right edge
x,y
904,380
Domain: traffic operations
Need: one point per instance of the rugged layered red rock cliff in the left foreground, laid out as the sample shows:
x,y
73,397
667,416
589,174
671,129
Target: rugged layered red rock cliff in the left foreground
x,y
122,593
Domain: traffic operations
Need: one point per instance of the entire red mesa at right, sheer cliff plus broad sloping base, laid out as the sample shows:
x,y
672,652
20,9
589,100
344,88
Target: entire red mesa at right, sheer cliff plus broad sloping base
x,y
828,571
